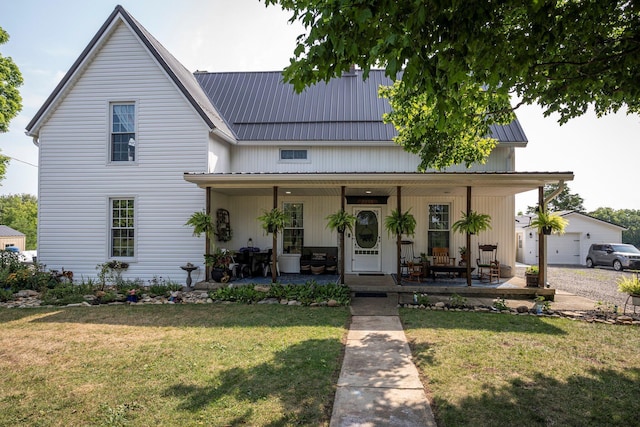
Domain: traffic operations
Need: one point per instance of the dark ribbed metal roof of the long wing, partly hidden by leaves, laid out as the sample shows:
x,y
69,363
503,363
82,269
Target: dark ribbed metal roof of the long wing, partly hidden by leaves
x,y
259,106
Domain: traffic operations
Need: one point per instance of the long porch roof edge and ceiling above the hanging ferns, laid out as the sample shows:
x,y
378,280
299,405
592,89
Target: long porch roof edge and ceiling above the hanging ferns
x,y
378,184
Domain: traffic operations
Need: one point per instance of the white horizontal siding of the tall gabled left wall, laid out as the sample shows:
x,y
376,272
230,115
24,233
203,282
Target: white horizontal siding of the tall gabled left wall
x,y
77,180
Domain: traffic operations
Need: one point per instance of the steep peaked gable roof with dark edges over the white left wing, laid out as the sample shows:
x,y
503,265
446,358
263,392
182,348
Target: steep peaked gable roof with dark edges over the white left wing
x,y
180,76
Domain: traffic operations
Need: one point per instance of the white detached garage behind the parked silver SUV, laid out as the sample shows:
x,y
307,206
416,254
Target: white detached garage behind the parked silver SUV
x,y
570,248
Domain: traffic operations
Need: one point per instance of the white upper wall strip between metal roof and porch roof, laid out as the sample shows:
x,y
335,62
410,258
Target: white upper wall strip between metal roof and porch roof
x,y
384,157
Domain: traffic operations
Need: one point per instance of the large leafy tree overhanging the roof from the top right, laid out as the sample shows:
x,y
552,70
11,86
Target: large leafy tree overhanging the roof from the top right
x,y
461,62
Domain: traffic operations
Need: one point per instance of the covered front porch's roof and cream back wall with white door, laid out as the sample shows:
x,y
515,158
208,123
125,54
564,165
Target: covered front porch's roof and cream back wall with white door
x,y
246,196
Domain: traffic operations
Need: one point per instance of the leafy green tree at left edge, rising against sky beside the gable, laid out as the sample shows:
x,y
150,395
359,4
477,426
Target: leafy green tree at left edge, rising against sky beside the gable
x,y
10,80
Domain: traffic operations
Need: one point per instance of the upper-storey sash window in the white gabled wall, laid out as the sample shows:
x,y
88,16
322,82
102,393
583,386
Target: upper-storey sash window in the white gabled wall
x,y
123,132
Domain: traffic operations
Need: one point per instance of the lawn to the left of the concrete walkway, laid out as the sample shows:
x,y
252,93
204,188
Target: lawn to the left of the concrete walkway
x,y
169,365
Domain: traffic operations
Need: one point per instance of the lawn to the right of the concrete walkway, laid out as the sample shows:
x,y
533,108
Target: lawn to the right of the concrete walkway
x,y
484,369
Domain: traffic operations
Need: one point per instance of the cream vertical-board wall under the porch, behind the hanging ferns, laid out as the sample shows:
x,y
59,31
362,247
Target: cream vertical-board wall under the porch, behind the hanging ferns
x,y
244,211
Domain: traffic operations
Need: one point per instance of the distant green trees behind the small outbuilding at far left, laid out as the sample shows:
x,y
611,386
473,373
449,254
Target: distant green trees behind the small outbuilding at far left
x,y
20,212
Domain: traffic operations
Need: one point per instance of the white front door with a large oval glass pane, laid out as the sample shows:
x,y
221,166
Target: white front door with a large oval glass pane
x,y
366,254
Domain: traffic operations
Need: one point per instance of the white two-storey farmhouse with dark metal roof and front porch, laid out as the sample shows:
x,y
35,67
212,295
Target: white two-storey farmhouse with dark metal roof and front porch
x,y
131,144
